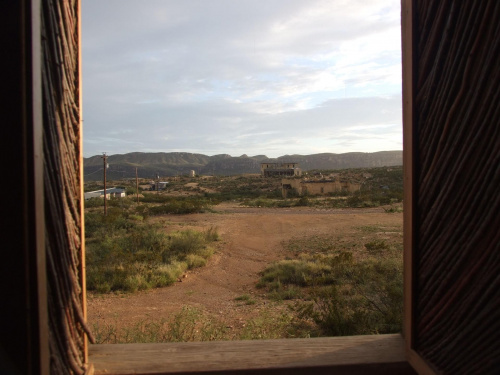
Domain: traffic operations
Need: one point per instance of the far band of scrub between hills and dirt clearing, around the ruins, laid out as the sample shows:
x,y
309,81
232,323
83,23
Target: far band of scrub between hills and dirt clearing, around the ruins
x,y
378,187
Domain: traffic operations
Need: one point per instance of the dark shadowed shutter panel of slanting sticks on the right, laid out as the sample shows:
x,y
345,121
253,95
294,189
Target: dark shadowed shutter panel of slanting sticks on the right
x,y
457,252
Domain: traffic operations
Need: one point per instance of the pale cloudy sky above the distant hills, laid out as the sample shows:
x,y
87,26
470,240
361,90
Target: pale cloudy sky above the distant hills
x,y
254,77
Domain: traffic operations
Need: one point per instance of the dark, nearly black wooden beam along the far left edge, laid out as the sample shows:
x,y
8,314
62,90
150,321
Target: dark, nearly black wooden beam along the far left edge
x,y
24,328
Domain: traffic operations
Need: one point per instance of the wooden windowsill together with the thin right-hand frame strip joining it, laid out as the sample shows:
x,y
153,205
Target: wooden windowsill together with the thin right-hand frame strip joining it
x,y
364,354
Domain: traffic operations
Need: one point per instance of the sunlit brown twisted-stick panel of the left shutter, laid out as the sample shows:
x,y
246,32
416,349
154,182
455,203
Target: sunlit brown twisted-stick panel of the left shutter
x,y
62,184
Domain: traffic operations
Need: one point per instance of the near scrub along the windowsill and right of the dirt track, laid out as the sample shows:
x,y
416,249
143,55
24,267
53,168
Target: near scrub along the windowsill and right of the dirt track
x,y
332,285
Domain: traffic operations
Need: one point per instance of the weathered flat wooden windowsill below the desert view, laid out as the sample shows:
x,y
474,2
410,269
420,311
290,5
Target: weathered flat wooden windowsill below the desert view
x,y
374,354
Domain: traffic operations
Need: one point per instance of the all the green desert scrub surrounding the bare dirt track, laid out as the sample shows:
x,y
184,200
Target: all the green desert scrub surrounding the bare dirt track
x,y
331,284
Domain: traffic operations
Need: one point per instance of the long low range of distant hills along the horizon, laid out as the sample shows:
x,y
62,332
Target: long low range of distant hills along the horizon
x,y
178,163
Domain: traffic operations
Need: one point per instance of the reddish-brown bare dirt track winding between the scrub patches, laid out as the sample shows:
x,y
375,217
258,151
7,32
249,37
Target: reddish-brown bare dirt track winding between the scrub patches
x,y
251,239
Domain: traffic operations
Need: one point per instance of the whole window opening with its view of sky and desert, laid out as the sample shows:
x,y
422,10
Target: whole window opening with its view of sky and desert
x,y
176,66
